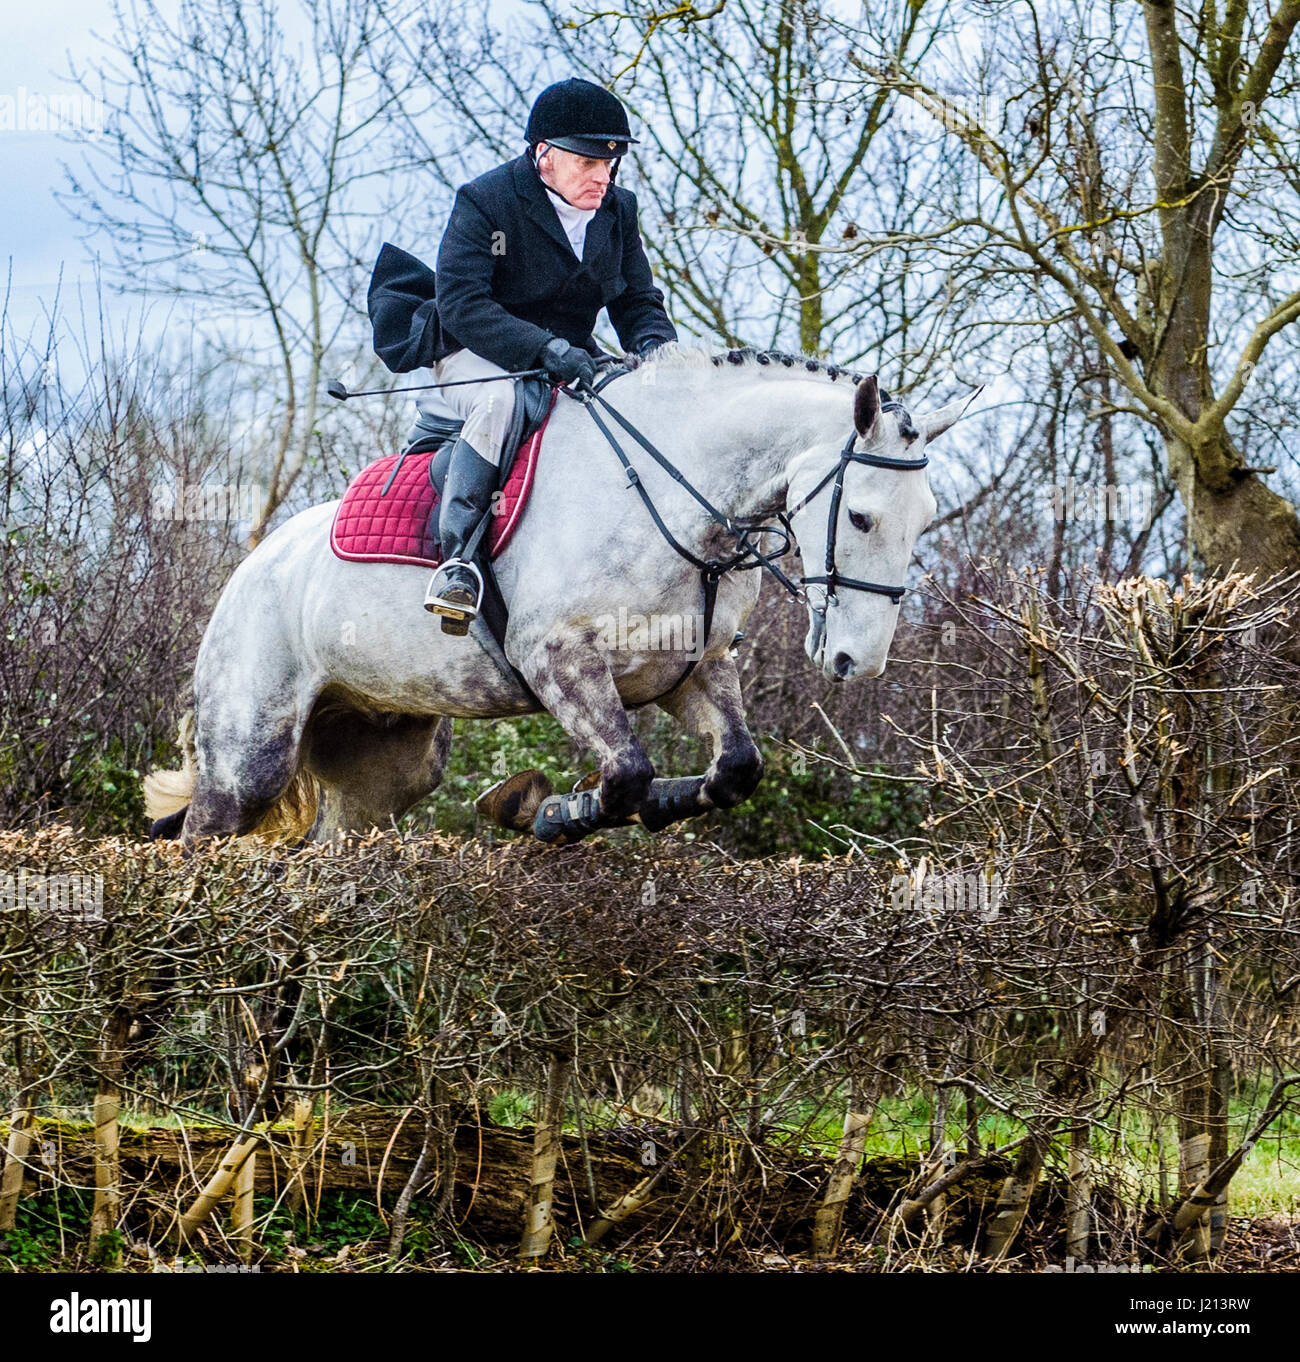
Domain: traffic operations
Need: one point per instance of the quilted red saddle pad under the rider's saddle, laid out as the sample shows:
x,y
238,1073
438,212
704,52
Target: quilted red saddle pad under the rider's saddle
x,y
374,528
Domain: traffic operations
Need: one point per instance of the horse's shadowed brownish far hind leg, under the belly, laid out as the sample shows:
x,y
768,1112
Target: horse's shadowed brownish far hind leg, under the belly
x,y
373,769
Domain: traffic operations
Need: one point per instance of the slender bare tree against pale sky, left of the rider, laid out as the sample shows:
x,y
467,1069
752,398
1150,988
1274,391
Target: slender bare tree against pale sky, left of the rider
x,y
242,165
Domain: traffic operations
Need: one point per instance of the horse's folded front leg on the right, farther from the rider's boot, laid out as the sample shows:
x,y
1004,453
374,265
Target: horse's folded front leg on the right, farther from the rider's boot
x,y
709,705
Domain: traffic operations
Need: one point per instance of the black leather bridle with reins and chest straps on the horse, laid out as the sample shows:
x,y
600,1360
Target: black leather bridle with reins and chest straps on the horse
x,y
749,555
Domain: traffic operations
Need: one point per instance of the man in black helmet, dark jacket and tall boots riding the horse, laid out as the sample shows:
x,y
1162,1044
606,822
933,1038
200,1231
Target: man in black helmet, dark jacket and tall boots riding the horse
x,y
533,251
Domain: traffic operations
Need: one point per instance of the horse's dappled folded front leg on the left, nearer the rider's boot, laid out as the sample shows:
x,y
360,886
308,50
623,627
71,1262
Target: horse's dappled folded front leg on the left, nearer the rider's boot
x,y
572,679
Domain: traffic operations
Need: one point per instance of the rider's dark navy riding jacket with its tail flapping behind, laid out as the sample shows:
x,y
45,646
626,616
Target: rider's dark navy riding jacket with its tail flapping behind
x,y
509,281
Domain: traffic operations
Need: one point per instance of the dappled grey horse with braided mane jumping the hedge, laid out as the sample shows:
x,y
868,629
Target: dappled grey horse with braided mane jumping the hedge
x,y
324,693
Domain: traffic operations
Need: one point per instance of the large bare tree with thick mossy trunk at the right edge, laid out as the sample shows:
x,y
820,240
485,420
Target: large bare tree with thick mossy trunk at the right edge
x,y
1140,176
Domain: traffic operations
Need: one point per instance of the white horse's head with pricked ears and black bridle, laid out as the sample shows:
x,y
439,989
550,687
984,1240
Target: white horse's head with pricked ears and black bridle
x,y
858,511
